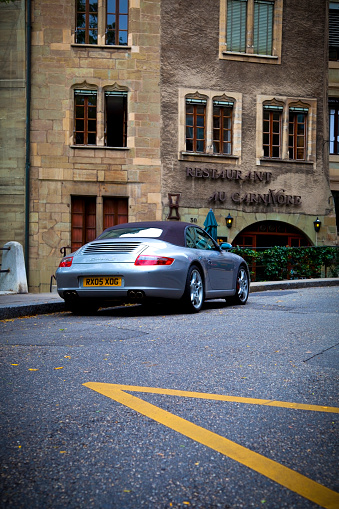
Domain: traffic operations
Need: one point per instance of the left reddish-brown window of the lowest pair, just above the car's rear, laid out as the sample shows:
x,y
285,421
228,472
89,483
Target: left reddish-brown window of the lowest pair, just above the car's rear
x,y
83,219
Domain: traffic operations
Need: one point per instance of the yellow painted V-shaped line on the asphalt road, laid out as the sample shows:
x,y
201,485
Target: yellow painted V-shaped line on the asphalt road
x,y
285,476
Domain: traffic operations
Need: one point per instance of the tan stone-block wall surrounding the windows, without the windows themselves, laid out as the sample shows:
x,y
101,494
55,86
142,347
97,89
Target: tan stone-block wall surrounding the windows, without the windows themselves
x,y
59,168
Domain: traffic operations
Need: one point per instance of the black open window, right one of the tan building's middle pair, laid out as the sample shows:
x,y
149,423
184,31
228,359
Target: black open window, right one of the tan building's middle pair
x,y
115,119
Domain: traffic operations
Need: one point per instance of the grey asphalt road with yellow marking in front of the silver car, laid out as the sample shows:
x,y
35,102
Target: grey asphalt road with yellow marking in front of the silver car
x,y
103,445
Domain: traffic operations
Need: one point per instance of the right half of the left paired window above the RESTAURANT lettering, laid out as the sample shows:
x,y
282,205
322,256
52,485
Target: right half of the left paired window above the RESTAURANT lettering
x,y
222,127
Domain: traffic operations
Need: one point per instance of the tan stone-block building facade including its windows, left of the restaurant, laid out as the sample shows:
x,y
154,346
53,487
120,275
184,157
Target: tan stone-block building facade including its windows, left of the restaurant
x,y
87,174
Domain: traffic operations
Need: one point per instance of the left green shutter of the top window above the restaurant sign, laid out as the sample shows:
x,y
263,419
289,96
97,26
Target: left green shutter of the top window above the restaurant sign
x,y
236,25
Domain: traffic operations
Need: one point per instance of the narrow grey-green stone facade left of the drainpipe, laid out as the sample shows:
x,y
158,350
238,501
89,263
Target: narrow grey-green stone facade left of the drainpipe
x,y
13,122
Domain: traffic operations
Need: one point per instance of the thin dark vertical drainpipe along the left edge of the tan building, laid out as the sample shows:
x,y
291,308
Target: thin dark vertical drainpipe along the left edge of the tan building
x,y
28,131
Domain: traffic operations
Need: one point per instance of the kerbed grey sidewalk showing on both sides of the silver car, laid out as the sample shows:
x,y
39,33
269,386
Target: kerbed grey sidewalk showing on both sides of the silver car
x,y
27,304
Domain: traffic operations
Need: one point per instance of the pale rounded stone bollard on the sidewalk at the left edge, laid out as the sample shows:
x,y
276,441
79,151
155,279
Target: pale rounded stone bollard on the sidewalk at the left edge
x,y
13,261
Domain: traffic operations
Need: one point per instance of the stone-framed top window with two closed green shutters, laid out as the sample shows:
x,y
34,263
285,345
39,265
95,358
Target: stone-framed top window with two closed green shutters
x,y
251,30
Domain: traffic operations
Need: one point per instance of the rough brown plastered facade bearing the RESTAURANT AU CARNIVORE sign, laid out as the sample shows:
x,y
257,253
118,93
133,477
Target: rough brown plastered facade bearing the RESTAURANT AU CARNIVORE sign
x,y
246,119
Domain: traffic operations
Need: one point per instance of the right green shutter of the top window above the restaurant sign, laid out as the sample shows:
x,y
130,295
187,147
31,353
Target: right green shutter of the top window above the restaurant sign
x,y
263,27
